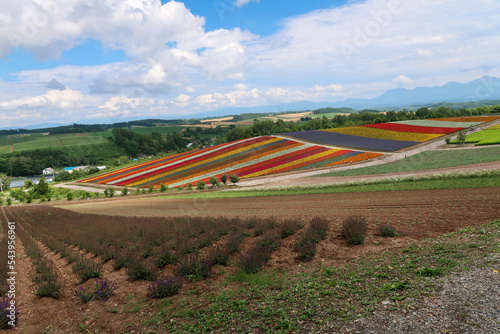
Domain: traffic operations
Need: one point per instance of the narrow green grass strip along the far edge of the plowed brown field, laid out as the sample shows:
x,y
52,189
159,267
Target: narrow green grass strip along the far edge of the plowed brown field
x,y
438,181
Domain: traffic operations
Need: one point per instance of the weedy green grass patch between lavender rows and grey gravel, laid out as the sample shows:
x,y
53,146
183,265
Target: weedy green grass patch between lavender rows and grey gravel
x,y
320,297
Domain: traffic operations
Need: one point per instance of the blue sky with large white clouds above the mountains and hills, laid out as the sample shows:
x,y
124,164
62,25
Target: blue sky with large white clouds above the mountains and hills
x,y
72,61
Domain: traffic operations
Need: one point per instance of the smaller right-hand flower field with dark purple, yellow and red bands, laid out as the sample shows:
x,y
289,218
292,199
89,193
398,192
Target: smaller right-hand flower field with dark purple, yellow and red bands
x,y
390,136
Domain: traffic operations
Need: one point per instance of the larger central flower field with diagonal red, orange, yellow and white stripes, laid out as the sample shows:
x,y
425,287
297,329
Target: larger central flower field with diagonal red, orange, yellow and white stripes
x,y
246,158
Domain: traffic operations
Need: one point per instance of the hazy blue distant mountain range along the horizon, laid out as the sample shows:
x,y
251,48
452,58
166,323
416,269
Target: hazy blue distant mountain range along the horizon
x,y
484,88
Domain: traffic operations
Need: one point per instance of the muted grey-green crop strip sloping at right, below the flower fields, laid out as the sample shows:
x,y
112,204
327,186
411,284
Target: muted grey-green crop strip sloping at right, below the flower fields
x,y
428,160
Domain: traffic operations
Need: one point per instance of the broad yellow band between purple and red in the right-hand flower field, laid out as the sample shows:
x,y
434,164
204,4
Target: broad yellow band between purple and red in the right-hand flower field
x,y
368,132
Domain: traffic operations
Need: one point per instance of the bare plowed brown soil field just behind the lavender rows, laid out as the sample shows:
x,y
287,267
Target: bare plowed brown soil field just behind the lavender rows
x,y
418,213
